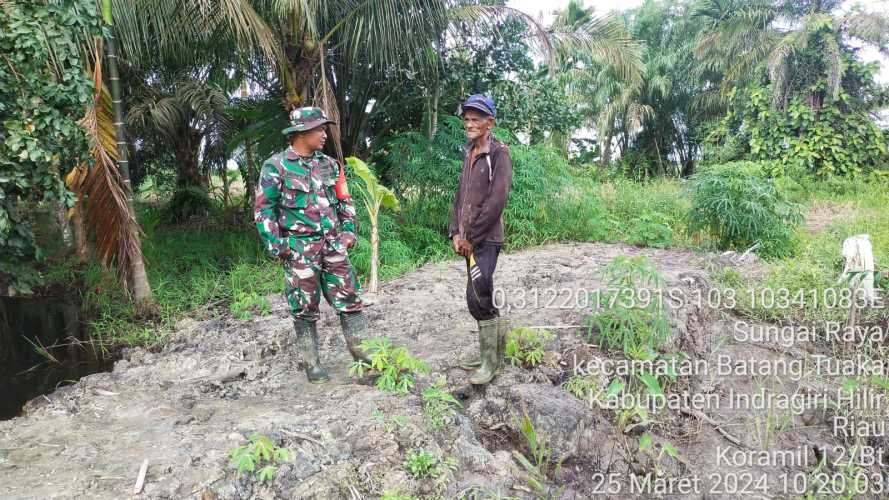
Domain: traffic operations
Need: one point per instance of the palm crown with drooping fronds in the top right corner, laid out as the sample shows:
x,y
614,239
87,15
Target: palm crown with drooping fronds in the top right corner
x,y
798,42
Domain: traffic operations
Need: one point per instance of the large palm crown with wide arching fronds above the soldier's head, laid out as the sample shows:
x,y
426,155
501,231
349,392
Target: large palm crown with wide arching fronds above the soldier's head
x,y
371,36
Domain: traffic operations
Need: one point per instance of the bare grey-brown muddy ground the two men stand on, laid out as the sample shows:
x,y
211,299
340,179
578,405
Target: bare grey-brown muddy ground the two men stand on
x,y
219,380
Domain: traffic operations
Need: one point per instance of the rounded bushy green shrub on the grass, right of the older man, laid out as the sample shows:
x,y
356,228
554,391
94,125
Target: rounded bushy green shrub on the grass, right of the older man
x,y
740,207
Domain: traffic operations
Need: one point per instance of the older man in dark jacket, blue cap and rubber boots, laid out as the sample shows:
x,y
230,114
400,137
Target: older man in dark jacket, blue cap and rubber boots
x,y
476,228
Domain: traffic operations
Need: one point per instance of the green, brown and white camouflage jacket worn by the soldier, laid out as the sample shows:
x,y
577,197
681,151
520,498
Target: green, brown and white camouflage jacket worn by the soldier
x,y
296,203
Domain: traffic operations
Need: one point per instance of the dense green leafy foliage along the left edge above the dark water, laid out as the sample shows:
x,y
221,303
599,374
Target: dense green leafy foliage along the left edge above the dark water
x,y
44,90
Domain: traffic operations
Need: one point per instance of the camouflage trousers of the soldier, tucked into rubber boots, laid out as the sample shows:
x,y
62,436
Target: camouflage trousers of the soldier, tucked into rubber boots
x,y
320,268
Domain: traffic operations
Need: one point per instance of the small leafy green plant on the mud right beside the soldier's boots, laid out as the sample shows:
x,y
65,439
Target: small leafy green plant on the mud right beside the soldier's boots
x,y
395,364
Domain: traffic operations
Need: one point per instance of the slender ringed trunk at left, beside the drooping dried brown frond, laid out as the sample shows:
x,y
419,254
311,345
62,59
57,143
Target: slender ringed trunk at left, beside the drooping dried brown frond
x,y
139,286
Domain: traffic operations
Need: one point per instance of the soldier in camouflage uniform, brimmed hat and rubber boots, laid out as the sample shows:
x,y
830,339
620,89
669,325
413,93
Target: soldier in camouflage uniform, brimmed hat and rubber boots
x,y
310,228
